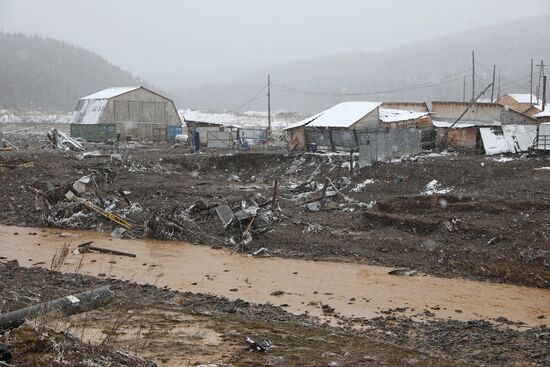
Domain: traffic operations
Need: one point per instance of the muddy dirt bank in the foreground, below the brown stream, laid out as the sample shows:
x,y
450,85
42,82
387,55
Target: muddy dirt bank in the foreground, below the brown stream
x,y
177,329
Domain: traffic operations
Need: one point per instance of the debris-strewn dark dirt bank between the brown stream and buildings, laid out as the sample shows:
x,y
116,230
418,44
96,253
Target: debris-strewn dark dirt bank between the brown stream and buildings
x,y
492,224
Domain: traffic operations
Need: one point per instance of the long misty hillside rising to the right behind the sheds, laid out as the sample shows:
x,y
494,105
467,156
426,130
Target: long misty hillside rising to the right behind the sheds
x,y
433,70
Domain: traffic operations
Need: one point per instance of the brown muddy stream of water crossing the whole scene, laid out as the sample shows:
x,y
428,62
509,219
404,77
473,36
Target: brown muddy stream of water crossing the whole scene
x,y
351,289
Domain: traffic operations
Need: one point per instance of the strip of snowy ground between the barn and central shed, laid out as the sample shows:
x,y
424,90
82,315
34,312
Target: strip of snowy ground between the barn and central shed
x,y
245,119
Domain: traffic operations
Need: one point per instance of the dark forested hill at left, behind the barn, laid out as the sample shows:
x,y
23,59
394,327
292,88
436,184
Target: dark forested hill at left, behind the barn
x,y
38,73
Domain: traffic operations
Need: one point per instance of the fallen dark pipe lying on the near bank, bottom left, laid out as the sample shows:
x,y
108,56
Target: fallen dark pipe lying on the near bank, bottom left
x,y
70,305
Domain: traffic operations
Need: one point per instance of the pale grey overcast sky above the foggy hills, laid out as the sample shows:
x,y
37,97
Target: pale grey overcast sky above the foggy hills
x,y
171,43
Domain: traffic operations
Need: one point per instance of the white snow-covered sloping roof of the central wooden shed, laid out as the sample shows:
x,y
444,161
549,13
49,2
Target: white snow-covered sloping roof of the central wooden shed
x,y
341,115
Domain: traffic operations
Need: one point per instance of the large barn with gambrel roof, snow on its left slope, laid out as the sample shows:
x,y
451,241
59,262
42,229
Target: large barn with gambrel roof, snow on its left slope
x,y
134,113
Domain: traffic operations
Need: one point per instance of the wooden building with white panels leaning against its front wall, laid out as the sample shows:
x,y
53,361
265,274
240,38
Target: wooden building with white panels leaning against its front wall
x,y
488,128
